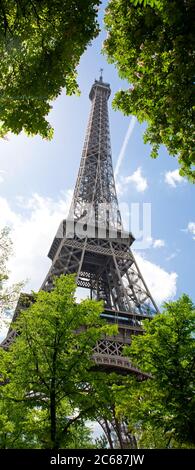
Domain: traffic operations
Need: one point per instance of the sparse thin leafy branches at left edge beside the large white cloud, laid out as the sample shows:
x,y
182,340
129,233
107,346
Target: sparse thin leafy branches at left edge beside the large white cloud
x,y
8,294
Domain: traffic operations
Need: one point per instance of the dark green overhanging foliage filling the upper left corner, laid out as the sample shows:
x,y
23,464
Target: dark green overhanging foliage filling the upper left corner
x,y
41,42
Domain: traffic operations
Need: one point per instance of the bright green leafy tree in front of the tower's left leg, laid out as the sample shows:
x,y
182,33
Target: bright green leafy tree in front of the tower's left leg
x,y
50,366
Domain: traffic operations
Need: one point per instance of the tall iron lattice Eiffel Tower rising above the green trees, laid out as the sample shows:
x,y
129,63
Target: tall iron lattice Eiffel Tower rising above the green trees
x,y
91,242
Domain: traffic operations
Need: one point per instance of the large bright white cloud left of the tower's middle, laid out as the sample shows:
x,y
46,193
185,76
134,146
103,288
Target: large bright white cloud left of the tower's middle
x,y
34,226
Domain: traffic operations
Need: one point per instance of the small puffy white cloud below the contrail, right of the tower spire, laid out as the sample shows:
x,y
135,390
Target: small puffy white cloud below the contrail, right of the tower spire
x,y
137,178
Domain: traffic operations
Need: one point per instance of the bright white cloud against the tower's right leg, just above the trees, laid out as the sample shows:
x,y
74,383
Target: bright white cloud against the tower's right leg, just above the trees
x,y
162,285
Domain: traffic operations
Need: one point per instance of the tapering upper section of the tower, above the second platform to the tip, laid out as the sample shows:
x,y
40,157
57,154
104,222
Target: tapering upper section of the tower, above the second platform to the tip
x,y
95,190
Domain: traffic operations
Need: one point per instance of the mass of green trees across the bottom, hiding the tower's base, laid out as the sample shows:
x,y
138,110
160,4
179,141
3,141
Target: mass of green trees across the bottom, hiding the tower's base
x,y
50,385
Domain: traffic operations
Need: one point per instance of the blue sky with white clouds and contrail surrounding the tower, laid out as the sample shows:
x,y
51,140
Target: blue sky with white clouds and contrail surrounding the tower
x,y
37,178
